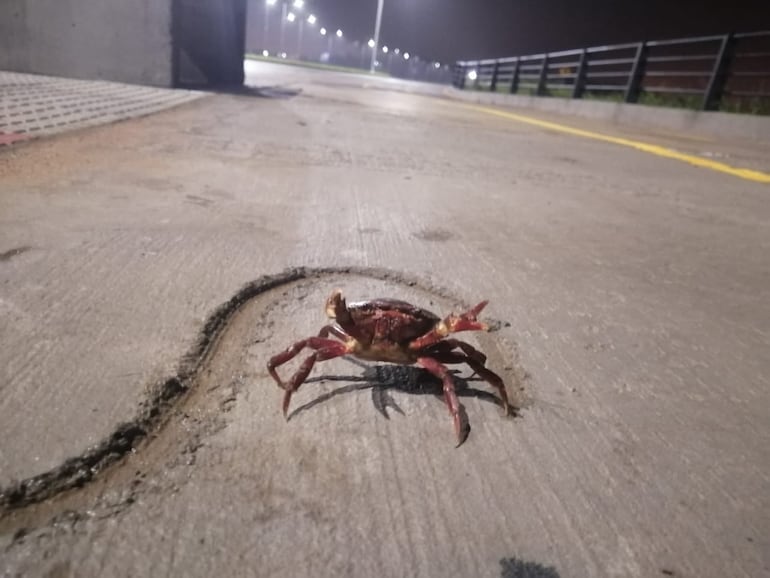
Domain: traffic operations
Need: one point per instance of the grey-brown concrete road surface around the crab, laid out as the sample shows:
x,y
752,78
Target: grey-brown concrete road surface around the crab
x,y
631,297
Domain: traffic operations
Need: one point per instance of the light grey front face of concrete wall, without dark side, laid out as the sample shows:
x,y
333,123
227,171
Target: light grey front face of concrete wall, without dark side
x,y
124,40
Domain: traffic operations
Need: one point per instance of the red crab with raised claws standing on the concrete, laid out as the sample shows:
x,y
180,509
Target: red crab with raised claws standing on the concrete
x,y
393,331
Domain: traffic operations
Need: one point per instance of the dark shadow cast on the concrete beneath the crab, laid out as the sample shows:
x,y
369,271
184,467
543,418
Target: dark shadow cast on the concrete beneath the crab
x,y
383,379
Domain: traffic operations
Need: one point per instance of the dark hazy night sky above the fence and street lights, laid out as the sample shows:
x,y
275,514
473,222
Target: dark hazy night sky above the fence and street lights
x,y
449,30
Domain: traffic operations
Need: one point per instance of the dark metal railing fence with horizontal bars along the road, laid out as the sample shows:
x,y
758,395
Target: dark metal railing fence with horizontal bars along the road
x,y
727,72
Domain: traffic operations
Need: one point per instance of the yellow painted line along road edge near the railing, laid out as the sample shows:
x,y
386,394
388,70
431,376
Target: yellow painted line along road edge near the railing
x,y
748,174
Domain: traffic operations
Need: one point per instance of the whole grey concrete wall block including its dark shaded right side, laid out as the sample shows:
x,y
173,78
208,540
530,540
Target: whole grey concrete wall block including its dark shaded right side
x,y
155,42
